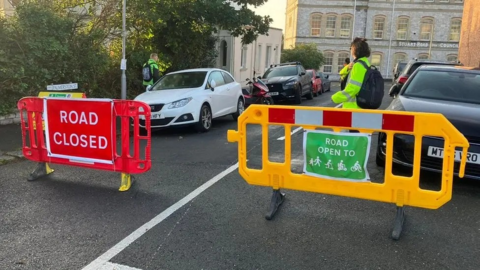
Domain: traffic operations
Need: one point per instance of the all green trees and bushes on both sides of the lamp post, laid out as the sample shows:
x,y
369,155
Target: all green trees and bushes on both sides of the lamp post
x,y
62,41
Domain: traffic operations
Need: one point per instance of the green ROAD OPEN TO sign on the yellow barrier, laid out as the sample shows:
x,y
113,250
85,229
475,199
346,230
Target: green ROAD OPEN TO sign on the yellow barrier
x,y
339,156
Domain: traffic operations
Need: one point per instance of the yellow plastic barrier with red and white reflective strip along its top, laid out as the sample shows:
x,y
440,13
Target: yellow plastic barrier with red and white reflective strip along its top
x,y
400,190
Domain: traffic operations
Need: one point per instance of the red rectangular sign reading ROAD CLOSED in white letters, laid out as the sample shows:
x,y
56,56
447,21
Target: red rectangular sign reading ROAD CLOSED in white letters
x,y
79,129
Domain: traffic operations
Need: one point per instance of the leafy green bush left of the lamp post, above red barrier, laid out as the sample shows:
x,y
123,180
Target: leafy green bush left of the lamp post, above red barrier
x,y
33,56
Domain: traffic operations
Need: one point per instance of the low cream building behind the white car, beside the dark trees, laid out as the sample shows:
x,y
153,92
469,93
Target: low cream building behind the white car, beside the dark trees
x,y
245,61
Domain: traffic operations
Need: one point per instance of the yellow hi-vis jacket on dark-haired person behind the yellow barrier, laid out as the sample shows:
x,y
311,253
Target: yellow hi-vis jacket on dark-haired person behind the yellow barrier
x,y
349,95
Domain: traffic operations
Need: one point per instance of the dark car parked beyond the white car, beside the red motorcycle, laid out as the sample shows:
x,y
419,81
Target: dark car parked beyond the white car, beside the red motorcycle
x,y
288,82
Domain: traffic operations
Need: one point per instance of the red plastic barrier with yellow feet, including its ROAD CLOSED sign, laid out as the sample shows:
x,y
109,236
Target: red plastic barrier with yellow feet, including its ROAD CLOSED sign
x,y
83,133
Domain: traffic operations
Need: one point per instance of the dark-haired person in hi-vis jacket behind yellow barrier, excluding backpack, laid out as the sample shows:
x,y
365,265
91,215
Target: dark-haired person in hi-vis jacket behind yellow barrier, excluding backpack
x,y
360,51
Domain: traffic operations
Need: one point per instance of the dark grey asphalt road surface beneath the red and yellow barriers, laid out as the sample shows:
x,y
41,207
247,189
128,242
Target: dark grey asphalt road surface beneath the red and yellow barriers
x,y
76,217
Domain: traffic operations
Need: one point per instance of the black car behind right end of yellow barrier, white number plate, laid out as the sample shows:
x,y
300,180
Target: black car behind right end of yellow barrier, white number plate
x,y
453,91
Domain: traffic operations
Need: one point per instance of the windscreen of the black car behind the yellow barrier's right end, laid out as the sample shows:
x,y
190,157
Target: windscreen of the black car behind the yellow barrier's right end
x,y
457,86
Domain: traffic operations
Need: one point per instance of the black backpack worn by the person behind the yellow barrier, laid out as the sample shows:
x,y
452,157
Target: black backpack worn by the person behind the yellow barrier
x,y
372,90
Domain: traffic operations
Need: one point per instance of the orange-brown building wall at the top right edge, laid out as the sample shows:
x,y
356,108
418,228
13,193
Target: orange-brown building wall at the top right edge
x,y
469,53
